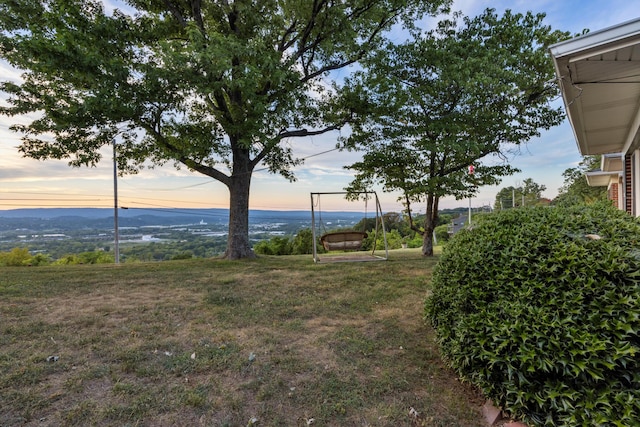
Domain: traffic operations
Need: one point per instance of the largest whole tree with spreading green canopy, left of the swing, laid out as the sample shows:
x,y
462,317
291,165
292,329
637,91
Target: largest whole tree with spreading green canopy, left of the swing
x,y
218,87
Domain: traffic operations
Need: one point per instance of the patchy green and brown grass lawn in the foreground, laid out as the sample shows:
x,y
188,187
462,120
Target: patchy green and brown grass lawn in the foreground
x,y
277,341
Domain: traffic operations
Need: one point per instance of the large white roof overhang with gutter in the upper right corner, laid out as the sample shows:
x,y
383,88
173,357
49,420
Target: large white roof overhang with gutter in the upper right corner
x,y
599,78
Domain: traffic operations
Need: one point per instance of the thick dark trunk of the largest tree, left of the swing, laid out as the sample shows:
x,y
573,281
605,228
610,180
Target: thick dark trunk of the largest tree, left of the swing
x,y
238,245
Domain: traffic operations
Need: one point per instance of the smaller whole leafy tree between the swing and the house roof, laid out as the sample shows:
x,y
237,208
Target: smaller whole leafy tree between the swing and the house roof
x,y
458,95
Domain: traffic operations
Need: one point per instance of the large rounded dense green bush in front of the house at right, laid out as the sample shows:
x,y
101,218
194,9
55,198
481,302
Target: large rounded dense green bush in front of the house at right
x,y
544,318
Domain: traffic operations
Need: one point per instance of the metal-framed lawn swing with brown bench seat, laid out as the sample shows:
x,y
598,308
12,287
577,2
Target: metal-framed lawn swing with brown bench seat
x,y
348,242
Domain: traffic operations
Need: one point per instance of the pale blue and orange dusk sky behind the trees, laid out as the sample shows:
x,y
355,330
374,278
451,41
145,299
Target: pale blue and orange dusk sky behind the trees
x,y
27,183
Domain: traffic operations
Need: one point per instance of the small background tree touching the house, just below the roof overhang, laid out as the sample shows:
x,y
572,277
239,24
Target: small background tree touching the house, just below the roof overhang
x,y
575,189
